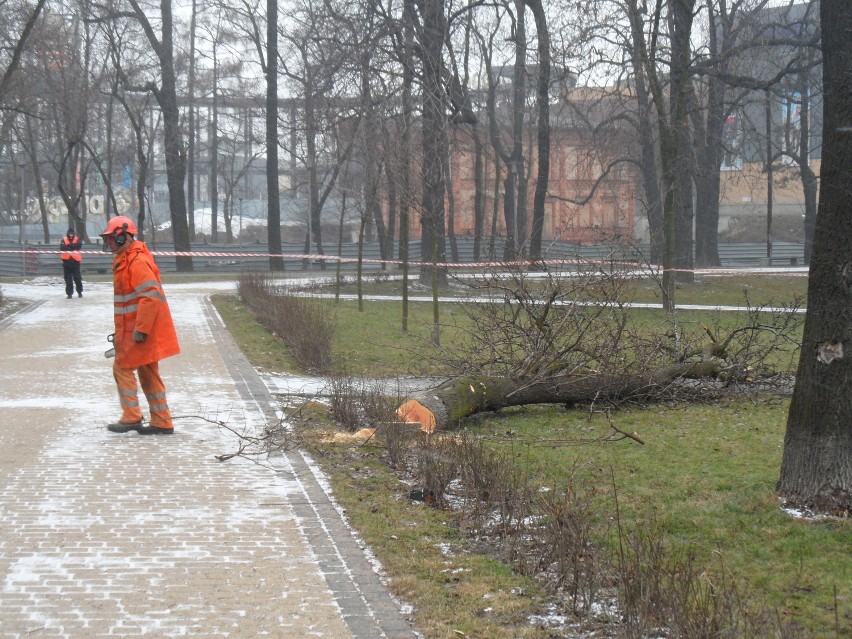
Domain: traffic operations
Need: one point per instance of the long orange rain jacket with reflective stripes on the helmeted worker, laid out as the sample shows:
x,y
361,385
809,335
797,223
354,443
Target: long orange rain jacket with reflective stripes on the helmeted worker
x,y
140,305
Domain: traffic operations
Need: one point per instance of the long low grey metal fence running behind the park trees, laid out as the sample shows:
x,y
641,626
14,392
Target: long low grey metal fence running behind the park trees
x,y
30,259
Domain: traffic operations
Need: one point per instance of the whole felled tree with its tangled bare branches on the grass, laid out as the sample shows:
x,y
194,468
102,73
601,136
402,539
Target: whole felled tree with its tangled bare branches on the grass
x,y
578,339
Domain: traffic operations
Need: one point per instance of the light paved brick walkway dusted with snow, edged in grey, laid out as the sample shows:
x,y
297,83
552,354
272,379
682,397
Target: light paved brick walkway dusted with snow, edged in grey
x,y
125,535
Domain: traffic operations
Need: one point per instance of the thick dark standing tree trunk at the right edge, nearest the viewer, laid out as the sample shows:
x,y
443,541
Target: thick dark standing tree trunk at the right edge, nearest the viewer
x,y
816,470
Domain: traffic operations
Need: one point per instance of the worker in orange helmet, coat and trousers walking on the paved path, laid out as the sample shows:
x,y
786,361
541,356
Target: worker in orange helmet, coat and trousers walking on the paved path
x,y
144,331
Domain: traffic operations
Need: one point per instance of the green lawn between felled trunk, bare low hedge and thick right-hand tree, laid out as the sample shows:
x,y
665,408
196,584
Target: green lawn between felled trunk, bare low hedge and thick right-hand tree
x,y
705,477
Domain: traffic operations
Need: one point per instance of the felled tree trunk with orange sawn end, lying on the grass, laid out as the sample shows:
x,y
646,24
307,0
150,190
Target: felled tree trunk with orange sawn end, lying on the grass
x,y
447,404
